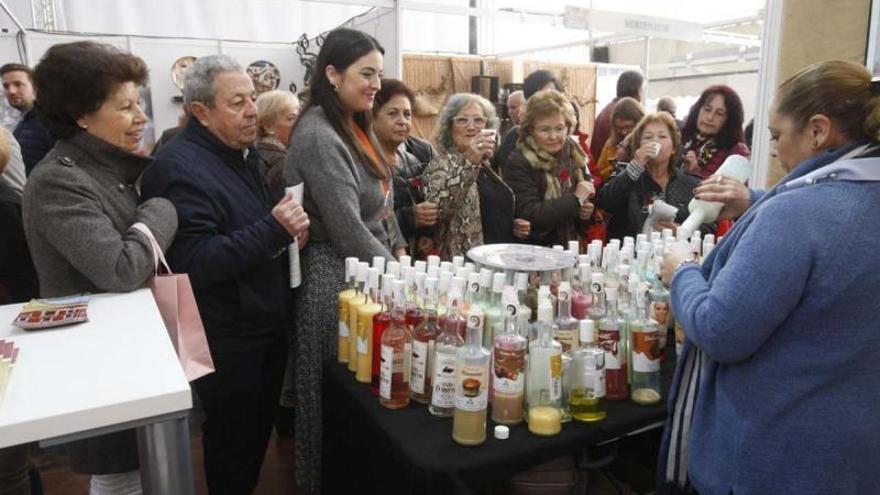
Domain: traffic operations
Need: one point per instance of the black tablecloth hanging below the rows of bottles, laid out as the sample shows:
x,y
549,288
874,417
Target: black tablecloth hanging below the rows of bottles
x,y
410,451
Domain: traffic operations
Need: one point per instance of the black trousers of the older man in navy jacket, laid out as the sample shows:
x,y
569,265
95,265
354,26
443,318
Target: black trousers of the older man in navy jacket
x,y
240,400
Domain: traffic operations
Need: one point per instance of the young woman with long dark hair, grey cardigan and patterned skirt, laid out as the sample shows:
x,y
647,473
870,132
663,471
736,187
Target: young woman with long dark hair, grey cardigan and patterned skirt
x,y
349,197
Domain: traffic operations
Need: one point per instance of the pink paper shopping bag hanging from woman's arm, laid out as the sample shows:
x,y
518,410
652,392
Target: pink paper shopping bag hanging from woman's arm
x,y
177,305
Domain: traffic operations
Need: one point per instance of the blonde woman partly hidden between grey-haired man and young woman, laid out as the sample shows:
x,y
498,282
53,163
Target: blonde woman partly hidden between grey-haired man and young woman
x,y
277,111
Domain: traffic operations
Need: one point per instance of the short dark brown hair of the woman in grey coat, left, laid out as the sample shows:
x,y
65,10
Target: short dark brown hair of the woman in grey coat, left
x,y
74,79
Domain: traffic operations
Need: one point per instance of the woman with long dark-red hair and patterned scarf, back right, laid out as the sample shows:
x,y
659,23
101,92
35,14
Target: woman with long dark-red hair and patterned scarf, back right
x,y
713,131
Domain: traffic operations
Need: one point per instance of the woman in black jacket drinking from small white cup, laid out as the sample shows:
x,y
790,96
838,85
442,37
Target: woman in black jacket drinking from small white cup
x,y
649,176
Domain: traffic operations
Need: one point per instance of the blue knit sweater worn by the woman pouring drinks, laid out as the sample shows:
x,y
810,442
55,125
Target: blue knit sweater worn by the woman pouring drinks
x,y
786,309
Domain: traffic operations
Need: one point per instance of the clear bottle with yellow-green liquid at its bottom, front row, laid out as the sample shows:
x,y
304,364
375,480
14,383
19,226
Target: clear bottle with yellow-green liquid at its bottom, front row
x,y
588,377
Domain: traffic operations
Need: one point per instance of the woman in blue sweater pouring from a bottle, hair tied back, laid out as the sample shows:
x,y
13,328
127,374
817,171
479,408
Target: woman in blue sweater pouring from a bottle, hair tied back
x,y
776,388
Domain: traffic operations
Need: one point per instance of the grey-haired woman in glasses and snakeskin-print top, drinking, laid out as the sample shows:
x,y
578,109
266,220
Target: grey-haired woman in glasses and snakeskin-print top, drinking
x,y
476,207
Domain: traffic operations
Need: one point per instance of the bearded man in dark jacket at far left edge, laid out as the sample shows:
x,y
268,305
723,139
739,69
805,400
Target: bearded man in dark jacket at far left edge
x,y
32,135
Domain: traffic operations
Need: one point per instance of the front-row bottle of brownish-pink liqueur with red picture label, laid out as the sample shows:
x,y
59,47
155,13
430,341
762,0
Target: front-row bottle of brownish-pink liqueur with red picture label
x,y
508,366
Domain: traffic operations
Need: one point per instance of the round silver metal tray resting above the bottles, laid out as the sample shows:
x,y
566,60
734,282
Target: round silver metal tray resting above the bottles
x,y
521,257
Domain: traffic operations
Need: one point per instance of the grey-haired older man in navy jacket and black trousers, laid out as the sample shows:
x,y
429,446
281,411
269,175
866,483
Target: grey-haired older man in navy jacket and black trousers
x,y
231,241
